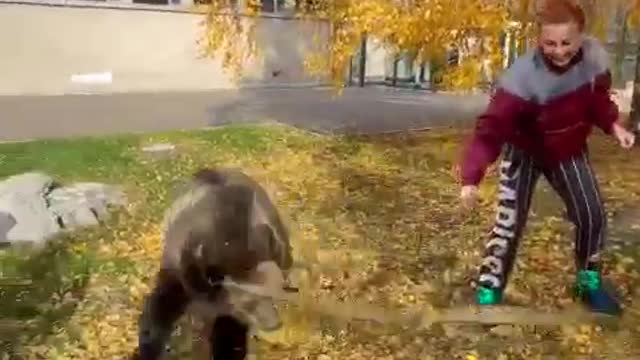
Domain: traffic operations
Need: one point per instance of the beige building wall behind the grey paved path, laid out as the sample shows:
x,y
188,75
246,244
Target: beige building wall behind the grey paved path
x,y
43,47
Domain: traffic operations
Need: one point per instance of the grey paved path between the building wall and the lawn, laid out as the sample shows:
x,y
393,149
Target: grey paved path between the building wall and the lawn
x,y
367,110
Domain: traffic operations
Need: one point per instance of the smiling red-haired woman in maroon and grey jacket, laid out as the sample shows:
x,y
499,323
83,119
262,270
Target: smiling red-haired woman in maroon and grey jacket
x,y
542,111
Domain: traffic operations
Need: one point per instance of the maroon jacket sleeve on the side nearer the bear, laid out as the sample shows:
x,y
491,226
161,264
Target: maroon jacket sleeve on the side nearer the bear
x,y
493,128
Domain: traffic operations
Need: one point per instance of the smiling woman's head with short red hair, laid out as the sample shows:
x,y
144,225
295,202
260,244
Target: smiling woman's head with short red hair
x,y
561,25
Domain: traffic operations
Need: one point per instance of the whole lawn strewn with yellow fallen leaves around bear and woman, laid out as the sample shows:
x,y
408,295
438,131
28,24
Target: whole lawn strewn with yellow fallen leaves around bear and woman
x,y
382,209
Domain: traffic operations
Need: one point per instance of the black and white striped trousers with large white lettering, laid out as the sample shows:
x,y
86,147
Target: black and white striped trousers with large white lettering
x,y
576,184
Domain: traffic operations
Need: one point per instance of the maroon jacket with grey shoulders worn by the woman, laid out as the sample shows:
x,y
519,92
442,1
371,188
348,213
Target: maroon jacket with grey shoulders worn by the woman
x,y
544,111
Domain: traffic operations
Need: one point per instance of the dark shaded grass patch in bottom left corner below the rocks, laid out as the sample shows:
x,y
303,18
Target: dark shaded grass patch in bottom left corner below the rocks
x,y
40,292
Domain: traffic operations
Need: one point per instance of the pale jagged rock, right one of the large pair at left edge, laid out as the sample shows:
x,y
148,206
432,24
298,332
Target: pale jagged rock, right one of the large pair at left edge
x,y
84,204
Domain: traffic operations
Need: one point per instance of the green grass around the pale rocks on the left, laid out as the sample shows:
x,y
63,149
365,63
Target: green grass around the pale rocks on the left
x,y
64,268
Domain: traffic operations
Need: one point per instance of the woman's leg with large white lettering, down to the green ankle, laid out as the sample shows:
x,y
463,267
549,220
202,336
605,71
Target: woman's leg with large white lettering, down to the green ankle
x,y
518,177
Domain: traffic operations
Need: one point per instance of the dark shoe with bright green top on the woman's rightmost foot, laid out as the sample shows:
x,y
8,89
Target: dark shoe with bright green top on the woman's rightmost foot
x,y
590,291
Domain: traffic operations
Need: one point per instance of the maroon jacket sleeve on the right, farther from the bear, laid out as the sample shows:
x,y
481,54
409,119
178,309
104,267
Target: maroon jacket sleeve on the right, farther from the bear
x,y
605,111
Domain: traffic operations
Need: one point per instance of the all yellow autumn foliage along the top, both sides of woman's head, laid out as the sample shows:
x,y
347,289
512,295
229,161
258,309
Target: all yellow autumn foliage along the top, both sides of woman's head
x,y
422,29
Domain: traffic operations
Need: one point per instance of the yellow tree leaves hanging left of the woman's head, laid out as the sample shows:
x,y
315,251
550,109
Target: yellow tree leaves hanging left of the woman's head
x,y
423,28
